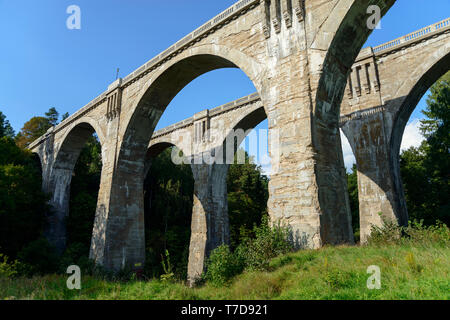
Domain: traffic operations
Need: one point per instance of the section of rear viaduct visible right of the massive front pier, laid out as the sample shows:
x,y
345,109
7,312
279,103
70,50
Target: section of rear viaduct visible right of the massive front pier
x,y
382,92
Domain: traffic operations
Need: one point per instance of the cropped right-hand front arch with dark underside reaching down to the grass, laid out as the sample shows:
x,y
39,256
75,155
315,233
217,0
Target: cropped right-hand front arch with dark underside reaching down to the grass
x,y
332,52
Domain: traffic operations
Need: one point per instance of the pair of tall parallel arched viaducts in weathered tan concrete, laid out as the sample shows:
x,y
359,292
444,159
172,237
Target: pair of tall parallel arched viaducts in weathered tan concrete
x,y
304,58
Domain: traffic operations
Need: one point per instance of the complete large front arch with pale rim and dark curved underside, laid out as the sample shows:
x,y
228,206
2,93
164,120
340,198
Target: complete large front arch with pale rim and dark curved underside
x,y
125,232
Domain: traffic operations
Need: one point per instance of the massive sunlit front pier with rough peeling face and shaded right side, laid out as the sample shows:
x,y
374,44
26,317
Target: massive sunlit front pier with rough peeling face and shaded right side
x,y
307,189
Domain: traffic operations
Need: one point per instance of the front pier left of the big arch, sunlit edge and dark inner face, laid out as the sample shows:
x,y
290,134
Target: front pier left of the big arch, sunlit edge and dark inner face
x,y
118,240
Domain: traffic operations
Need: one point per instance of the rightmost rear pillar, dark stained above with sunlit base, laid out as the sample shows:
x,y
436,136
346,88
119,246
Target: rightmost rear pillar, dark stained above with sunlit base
x,y
378,197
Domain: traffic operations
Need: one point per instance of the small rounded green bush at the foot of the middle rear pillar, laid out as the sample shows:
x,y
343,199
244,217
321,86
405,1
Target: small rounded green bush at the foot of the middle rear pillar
x,y
222,265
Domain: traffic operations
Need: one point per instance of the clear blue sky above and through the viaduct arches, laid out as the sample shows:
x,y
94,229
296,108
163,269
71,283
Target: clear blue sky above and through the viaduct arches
x,y
43,64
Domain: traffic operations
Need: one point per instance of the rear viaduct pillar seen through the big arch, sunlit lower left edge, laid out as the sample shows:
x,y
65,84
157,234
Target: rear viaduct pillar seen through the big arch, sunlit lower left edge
x,y
210,225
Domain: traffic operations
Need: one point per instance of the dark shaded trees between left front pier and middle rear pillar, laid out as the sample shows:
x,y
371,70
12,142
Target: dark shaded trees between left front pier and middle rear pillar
x,y
168,199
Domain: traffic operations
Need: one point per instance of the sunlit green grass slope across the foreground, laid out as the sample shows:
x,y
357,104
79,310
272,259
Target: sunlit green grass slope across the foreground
x,y
407,272
